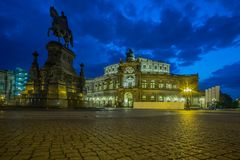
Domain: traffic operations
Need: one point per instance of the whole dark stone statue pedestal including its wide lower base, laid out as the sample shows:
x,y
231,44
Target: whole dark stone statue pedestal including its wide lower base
x,y
58,83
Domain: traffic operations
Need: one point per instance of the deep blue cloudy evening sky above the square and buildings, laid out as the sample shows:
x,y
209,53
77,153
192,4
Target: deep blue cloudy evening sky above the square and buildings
x,y
200,36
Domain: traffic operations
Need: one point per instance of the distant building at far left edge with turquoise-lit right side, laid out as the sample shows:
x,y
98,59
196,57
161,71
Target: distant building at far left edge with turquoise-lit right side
x,y
12,83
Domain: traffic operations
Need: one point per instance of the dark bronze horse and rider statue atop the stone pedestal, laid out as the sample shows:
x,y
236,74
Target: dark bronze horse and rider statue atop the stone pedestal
x,y
60,27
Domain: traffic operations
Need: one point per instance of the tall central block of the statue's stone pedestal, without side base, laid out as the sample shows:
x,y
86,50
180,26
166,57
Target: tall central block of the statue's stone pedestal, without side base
x,y
59,76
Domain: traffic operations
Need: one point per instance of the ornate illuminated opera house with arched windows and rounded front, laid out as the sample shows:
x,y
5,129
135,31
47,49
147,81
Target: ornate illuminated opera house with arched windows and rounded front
x,y
140,80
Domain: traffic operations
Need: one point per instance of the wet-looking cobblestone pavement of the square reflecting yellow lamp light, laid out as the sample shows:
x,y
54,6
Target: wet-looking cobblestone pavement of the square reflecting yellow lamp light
x,y
120,134
